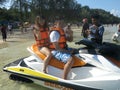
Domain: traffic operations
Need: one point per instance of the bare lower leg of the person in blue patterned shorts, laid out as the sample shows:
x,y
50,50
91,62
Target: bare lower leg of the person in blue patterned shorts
x,y
67,68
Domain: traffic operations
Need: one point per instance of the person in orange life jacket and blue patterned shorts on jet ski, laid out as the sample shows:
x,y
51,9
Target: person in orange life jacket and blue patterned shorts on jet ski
x,y
58,40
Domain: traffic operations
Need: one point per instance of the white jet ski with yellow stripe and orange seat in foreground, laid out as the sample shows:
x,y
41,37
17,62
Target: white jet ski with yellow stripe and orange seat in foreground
x,y
93,69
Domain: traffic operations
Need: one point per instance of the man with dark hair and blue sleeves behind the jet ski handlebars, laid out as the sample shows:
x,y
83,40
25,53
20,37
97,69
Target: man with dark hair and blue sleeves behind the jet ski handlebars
x,y
95,33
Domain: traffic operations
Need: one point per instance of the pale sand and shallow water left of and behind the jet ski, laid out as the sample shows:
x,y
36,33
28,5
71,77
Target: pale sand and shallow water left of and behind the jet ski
x,y
15,48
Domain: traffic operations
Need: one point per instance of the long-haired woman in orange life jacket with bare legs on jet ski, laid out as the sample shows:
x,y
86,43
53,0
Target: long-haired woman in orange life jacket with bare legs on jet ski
x,y
41,34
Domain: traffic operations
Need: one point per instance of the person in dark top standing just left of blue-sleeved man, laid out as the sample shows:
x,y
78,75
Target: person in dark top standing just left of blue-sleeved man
x,y
85,28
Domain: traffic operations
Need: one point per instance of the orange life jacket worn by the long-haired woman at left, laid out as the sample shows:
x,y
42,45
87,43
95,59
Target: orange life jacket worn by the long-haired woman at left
x,y
44,41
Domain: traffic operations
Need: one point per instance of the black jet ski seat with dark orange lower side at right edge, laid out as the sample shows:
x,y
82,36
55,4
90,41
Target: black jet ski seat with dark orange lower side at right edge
x,y
111,51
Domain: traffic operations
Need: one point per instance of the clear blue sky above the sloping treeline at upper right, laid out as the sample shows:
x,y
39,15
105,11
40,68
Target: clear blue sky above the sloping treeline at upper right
x,y
113,6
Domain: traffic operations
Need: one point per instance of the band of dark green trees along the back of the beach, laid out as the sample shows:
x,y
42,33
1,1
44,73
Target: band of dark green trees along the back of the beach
x,y
69,10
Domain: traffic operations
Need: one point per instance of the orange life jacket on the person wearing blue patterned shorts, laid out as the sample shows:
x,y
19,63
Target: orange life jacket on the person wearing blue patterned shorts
x,y
62,40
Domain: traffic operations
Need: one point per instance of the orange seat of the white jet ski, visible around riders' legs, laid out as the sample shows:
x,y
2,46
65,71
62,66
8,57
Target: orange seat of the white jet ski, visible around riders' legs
x,y
54,62
